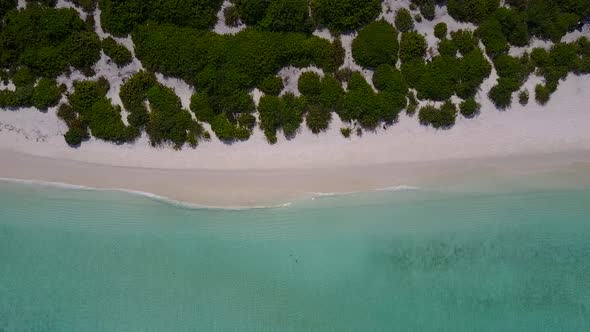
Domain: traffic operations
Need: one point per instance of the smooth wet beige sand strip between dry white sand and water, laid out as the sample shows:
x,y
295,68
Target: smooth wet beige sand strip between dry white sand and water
x,y
250,188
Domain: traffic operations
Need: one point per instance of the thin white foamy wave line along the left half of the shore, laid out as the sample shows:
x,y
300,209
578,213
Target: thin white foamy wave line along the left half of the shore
x,y
152,196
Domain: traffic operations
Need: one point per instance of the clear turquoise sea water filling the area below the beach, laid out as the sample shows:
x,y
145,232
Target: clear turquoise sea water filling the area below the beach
x,y
76,260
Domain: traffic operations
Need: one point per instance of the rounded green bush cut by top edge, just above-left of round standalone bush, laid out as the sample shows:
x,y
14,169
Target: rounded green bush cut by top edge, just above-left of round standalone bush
x,y
345,15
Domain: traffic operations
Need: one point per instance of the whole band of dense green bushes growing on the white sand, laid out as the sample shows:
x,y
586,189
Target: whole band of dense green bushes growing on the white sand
x,y
174,37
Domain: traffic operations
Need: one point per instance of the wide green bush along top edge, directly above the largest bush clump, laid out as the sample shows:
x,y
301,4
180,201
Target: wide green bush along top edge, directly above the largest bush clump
x,y
120,17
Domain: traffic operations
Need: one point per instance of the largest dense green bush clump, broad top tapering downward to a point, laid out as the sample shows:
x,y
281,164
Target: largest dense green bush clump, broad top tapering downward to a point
x,y
226,67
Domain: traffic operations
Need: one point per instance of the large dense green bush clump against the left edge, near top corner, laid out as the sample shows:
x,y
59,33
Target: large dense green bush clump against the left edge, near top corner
x,y
47,41
